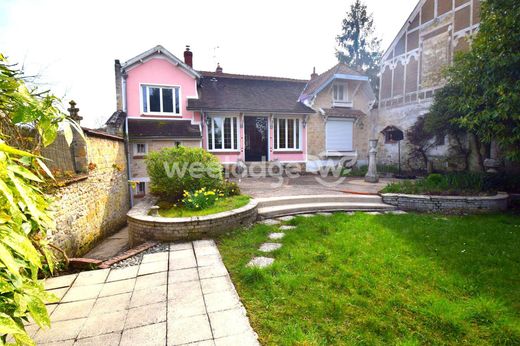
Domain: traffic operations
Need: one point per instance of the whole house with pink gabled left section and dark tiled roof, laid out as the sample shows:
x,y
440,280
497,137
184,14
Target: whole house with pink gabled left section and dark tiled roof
x,y
163,101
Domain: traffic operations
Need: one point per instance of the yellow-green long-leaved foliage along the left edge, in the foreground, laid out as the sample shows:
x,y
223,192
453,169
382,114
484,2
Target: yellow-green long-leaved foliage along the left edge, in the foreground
x,y
28,120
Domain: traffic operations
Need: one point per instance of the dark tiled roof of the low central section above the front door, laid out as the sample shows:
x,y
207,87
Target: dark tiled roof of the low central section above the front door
x,y
231,92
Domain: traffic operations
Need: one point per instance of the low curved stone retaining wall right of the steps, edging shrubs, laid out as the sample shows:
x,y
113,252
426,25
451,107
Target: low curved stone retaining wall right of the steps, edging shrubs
x,y
448,204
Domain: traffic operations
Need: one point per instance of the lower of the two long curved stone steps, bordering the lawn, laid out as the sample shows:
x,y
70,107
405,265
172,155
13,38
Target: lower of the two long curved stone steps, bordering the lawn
x,y
303,208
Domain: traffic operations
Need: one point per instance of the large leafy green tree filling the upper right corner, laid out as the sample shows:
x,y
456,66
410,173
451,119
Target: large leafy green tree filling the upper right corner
x,y
483,84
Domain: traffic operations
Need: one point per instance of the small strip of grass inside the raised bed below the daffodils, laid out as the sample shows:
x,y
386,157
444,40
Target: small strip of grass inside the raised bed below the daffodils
x,y
221,205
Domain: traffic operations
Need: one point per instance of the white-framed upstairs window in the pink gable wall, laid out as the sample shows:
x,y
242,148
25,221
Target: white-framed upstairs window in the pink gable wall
x,y
161,99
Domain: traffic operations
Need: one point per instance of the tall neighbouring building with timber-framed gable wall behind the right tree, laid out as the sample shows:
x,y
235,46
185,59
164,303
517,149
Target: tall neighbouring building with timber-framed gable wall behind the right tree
x,y
411,70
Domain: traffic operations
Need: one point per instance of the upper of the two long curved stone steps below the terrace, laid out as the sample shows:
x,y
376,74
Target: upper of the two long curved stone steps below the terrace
x,y
303,199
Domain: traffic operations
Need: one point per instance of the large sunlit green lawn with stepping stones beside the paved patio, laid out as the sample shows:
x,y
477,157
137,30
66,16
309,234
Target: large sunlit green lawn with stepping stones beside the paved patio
x,y
383,280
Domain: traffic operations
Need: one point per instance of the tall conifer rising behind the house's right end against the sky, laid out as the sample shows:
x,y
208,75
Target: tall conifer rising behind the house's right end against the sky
x,y
358,46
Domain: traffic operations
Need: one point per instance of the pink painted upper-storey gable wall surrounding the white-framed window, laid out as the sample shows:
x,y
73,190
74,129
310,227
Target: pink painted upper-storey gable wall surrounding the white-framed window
x,y
160,71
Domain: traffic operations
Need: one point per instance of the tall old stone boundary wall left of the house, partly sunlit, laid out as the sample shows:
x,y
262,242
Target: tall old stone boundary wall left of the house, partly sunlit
x,y
94,205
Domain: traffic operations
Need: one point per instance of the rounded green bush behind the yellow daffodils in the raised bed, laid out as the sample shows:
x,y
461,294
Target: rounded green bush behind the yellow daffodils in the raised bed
x,y
175,170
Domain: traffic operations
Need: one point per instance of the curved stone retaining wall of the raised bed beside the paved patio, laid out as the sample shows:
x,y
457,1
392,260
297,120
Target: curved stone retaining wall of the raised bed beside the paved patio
x,y
143,227
